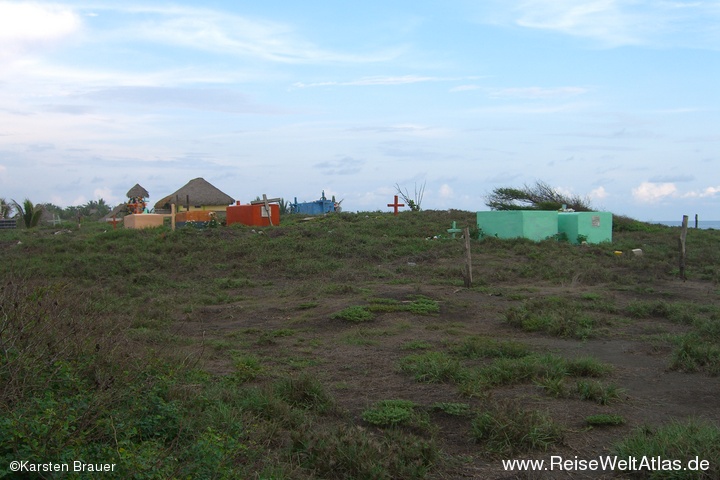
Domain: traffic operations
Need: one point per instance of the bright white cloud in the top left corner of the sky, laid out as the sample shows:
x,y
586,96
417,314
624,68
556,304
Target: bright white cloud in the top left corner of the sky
x,y
25,27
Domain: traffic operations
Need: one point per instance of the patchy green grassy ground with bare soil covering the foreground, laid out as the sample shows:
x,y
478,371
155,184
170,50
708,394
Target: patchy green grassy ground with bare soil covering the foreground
x,y
348,347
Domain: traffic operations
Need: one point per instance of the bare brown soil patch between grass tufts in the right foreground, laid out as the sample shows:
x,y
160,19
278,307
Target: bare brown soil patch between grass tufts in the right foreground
x,y
358,363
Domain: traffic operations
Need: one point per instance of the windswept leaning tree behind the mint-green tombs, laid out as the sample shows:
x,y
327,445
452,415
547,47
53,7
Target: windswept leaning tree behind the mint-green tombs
x,y
540,196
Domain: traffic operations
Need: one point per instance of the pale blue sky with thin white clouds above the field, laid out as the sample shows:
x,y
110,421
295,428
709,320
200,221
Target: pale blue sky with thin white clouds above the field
x,y
613,100
